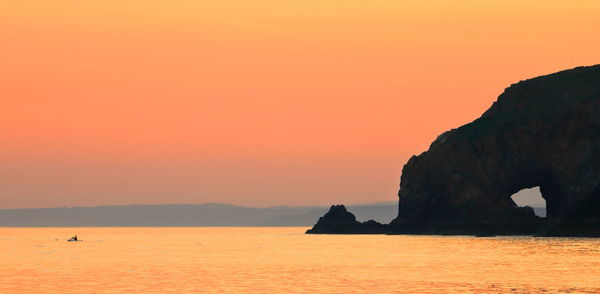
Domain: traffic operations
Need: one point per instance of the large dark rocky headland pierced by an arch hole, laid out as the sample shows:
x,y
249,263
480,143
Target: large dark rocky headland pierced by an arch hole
x,y
541,132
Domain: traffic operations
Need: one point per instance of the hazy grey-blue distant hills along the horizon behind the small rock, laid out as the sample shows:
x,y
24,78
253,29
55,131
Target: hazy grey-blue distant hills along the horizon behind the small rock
x,y
187,215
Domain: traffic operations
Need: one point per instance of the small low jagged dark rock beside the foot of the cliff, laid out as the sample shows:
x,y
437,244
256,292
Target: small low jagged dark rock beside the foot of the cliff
x,y
339,221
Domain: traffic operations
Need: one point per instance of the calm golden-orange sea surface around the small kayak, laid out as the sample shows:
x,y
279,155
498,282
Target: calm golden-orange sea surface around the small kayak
x,y
284,260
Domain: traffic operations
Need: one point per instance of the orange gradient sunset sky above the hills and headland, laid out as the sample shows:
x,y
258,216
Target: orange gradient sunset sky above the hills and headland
x,y
262,102
